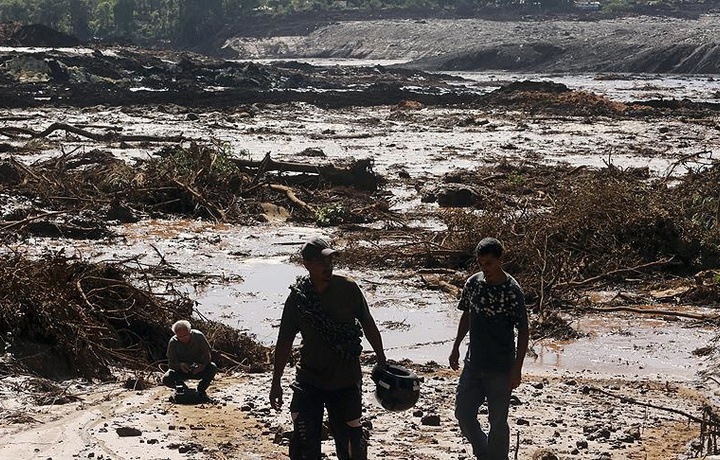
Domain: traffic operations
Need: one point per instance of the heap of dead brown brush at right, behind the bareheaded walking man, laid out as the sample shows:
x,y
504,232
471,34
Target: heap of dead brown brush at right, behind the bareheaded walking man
x,y
570,230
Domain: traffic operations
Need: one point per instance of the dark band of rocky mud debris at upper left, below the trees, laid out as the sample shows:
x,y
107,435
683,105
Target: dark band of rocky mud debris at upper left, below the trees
x,y
128,76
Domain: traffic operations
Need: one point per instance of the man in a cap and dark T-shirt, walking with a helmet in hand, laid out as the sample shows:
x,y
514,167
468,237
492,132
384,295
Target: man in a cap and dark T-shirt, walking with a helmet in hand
x,y
330,313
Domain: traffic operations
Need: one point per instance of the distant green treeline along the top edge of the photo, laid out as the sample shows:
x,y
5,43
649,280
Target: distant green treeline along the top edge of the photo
x,y
185,22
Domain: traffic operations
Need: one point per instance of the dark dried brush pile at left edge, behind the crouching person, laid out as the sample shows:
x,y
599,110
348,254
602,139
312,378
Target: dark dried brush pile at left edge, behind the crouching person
x,y
65,318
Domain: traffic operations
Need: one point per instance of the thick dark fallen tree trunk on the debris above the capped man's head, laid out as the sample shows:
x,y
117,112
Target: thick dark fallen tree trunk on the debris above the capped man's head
x,y
359,174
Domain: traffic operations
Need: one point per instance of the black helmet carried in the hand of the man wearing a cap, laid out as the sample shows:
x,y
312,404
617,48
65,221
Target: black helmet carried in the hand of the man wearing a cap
x,y
396,388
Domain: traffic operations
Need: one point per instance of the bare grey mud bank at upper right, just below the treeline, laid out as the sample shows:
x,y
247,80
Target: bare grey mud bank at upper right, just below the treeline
x,y
634,44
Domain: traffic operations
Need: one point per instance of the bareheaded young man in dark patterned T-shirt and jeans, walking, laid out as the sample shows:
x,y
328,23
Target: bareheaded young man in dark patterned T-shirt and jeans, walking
x,y
493,306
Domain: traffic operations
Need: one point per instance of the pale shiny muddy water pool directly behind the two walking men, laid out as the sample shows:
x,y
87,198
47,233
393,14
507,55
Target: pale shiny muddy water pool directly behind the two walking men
x,y
420,325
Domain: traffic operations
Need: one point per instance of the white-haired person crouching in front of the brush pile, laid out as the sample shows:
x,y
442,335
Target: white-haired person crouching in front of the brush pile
x,y
189,358
